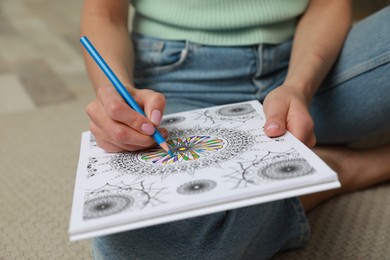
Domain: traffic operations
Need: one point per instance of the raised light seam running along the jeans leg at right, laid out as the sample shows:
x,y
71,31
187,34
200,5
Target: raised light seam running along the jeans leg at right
x,y
357,70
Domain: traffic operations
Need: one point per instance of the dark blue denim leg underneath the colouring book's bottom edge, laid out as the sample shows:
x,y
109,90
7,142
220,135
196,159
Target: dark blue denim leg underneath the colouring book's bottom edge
x,y
256,232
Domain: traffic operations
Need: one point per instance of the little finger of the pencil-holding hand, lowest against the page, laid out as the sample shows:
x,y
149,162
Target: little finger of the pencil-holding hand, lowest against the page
x,y
104,142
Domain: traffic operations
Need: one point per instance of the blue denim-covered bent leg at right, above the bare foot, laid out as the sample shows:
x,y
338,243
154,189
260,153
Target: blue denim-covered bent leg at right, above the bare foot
x,y
354,100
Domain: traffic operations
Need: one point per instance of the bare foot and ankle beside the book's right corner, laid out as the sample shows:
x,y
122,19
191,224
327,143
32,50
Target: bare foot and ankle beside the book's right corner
x,y
356,168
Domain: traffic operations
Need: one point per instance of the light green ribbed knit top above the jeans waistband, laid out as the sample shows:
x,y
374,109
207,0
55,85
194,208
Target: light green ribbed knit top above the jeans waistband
x,y
219,22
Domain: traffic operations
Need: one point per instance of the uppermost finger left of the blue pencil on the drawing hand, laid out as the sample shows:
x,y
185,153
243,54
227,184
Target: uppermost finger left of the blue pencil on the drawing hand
x,y
118,110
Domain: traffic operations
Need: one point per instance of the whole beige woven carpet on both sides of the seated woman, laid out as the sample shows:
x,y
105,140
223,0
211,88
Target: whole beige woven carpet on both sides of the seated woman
x,y
38,160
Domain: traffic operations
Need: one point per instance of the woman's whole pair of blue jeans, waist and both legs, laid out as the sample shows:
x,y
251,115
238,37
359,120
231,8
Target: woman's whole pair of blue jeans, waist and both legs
x,y
353,102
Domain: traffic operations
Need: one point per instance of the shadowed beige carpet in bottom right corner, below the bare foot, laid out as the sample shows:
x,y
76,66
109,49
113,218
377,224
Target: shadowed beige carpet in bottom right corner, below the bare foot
x,y
354,226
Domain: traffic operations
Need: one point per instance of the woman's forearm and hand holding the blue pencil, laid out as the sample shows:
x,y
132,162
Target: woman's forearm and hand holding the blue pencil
x,y
115,125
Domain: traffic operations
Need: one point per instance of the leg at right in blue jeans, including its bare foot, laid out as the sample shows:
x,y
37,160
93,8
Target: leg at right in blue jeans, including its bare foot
x,y
353,103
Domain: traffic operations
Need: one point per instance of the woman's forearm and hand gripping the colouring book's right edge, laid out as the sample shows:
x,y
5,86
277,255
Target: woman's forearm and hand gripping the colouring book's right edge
x,y
318,40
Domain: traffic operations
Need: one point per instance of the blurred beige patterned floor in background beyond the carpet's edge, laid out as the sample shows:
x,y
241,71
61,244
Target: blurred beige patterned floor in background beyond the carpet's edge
x,y
40,56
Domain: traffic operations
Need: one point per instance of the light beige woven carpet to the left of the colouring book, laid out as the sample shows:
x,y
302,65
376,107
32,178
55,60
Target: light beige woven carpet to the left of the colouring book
x,y
38,160
